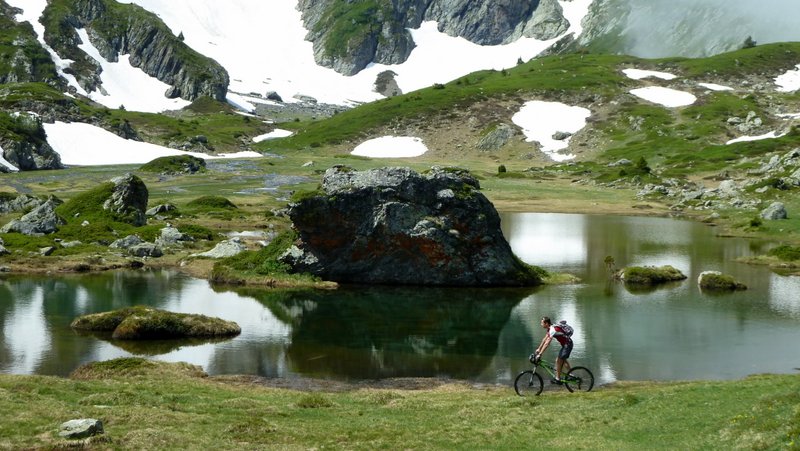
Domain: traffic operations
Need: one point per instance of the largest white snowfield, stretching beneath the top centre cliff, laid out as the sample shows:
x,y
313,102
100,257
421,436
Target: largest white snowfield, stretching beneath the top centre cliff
x,y
262,45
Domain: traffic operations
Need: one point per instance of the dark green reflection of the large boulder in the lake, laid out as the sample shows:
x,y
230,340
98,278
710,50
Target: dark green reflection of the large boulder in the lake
x,y
375,332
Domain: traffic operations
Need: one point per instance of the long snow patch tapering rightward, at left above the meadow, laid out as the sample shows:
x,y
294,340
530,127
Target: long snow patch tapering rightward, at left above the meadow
x,y
81,144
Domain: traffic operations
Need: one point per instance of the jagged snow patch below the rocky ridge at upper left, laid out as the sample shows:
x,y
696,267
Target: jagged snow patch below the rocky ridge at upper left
x,y
126,85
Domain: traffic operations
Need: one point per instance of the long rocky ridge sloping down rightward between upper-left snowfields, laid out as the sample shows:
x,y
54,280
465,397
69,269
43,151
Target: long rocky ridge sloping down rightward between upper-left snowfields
x,y
116,29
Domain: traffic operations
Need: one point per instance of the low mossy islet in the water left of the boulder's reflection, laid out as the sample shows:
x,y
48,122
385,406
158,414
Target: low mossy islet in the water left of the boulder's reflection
x,y
144,323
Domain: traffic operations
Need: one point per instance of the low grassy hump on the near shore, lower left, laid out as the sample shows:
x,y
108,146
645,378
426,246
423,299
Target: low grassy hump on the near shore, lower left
x,y
133,367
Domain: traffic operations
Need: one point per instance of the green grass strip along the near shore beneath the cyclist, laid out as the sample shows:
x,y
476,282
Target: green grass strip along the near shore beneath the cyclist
x,y
157,405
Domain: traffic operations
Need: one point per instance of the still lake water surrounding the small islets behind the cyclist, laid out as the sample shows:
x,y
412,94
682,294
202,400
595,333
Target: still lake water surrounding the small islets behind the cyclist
x,y
670,333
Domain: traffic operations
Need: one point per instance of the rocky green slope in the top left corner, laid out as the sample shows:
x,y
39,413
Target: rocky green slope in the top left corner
x,y
22,59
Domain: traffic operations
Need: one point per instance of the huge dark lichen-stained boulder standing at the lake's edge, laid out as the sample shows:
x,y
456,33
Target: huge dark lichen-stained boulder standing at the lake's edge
x,y
395,226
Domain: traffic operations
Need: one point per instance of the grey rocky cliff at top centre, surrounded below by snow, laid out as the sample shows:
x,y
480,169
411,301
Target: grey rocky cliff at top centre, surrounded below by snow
x,y
349,35
